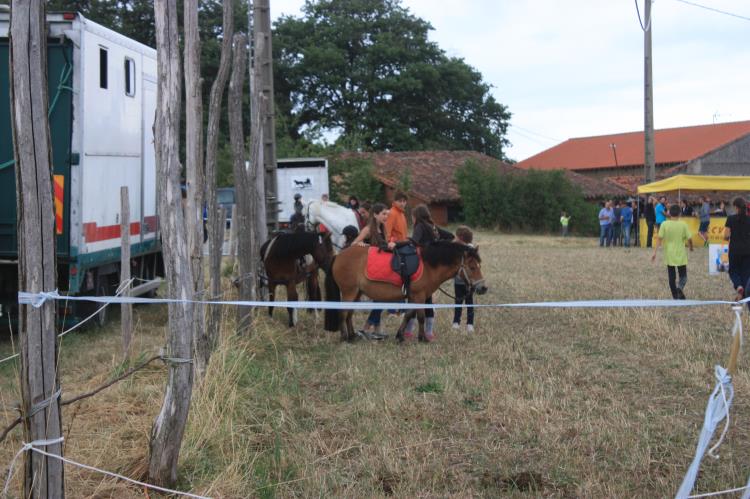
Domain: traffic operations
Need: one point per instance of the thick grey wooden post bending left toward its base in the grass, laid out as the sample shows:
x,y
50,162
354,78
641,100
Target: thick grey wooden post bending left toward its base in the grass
x,y
169,427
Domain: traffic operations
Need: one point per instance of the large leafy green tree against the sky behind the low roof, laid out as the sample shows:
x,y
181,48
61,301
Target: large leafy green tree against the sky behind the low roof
x,y
366,71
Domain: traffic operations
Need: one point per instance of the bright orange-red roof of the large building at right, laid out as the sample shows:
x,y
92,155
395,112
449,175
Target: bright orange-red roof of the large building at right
x,y
672,146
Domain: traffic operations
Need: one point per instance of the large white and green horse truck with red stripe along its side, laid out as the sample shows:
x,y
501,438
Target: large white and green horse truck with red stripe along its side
x,y
102,95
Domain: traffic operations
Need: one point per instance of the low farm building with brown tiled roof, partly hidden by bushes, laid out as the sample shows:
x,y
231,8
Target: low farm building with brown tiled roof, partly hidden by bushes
x,y
432,178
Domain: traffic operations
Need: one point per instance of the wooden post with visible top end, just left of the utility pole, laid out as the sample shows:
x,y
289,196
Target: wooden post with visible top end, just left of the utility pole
x,y
241,182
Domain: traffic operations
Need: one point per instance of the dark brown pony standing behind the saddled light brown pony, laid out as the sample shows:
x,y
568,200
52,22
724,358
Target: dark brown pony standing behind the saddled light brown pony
x,y
285,260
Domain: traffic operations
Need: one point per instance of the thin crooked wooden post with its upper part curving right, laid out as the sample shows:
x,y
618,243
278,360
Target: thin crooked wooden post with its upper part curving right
x,y
215,220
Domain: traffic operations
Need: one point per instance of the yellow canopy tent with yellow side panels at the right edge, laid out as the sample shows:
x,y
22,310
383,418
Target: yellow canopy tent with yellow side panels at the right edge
x,y
693,183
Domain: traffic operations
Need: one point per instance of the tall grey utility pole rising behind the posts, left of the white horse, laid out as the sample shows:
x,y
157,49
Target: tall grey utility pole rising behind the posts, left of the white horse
x,y
262,60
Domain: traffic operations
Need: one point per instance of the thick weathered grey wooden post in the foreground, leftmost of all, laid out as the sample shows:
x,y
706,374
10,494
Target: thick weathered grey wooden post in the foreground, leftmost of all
x,y
40,389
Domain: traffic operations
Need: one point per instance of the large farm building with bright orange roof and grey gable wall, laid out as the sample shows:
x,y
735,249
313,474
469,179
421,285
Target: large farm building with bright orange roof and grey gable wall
x,y
717,149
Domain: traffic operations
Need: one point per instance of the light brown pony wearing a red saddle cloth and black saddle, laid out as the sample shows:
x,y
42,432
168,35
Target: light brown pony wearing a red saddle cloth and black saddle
x,y
347,281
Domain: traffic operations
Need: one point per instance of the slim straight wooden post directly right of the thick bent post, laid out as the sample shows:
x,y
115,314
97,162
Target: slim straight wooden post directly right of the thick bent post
x,y
194,177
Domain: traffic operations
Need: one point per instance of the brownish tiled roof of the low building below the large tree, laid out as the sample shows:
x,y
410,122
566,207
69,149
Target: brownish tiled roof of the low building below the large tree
x,y
431,172
